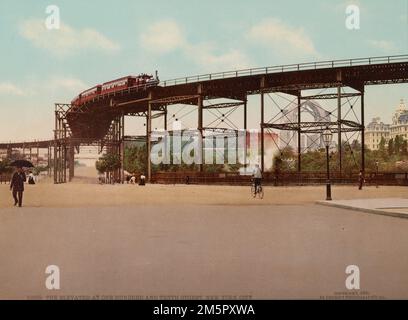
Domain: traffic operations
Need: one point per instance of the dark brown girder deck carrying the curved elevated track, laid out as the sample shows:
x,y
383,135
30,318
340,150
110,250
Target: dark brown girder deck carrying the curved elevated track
x,y
91,119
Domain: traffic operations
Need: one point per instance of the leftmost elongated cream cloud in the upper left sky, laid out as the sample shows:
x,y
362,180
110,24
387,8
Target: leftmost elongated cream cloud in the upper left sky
x,y
66,40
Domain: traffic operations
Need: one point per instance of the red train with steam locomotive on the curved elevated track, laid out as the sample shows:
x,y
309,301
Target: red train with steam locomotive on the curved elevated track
x,y
141,81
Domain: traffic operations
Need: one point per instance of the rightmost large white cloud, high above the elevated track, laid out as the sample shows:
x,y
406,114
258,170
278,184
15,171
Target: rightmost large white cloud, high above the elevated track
x,y
282,38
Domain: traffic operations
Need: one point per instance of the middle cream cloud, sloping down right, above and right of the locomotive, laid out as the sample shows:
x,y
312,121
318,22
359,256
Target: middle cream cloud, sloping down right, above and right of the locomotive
x,y
167,36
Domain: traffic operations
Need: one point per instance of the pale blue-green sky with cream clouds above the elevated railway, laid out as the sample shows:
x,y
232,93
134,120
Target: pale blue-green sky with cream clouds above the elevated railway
x,y
101,40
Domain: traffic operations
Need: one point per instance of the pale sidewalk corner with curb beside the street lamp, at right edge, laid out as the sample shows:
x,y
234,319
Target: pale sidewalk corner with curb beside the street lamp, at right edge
x,y
394,207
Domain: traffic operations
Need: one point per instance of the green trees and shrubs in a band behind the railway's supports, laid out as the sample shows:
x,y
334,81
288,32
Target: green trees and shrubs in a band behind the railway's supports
x,y
389,159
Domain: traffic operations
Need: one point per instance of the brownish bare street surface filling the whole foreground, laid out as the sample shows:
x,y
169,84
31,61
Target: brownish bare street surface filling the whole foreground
x,y
206,251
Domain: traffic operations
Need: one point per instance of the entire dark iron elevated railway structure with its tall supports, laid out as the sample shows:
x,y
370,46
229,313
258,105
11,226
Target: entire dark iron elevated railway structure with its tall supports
x,y
100,121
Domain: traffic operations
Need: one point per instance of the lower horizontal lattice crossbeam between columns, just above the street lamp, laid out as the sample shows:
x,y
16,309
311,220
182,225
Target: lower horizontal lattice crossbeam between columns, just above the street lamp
x,y
317,127
